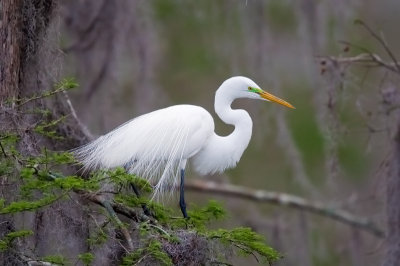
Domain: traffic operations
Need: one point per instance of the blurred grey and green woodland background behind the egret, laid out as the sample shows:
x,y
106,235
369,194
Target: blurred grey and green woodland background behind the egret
x,y
145,55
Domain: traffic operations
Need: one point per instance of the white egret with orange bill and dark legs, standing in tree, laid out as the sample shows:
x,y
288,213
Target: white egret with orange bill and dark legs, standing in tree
x,y
157,145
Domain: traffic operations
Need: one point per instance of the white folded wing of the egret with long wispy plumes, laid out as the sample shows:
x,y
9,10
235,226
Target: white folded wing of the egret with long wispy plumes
x,y
151,146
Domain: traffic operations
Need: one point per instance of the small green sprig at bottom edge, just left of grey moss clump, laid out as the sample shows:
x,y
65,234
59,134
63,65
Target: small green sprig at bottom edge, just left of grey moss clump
x,y
153,249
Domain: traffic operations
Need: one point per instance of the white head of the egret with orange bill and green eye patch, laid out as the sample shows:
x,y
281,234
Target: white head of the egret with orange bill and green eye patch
x,y
242,87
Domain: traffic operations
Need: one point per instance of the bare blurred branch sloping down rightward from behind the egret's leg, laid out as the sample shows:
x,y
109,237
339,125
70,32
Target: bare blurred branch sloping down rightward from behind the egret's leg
x,y
288,200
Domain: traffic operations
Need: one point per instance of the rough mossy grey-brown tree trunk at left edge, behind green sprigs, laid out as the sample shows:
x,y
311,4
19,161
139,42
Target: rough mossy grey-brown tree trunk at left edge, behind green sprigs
x,y
30,63
